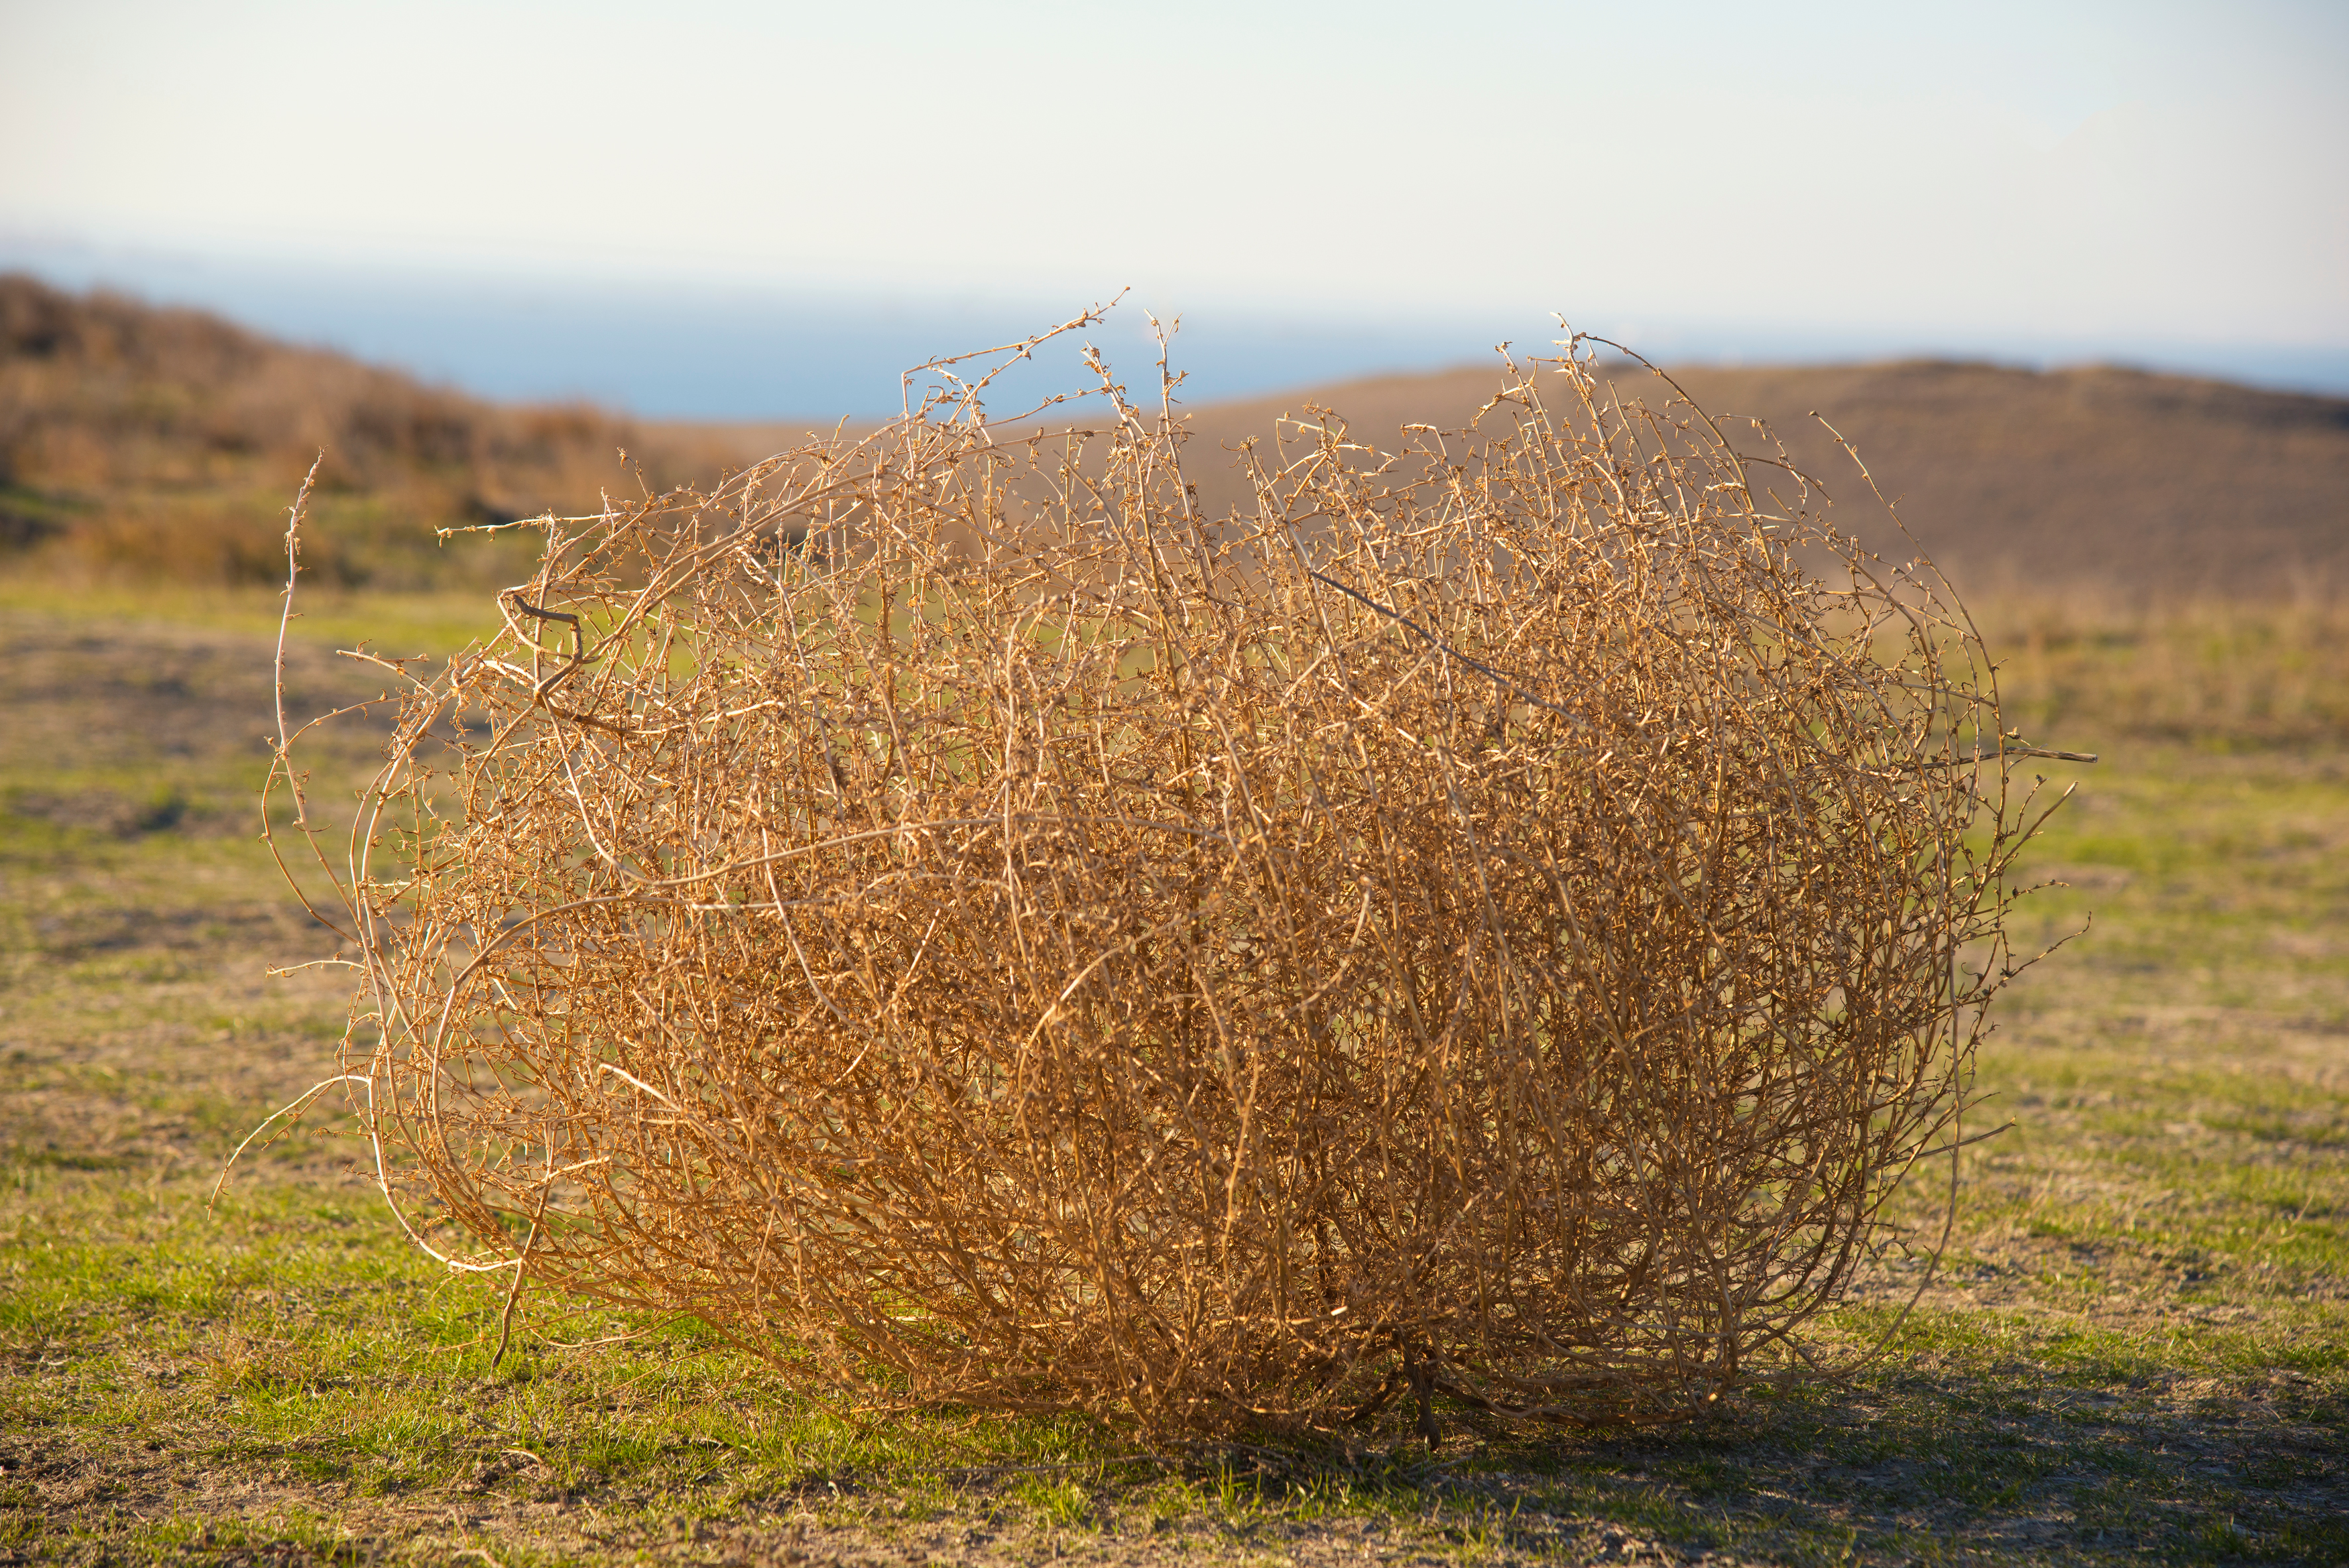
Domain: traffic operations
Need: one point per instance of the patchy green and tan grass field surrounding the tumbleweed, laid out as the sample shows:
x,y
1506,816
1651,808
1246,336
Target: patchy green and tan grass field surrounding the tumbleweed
x,y
2136,1349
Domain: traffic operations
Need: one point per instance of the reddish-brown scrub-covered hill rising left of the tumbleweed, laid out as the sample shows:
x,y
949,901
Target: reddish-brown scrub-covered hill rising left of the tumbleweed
x,y
142,442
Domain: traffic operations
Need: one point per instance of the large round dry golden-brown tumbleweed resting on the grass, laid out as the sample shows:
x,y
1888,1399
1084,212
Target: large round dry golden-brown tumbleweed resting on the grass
x,y
1493,919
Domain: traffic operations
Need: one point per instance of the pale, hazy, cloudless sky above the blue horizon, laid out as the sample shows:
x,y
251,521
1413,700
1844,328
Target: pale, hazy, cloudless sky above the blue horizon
x,y
2132,173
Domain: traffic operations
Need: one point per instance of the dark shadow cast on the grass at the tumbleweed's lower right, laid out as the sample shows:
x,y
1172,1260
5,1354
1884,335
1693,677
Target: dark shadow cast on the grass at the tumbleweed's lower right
x,y
1991,1461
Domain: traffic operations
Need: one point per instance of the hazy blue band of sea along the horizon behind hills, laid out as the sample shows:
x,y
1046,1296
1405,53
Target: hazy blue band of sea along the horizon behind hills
x,y
739,353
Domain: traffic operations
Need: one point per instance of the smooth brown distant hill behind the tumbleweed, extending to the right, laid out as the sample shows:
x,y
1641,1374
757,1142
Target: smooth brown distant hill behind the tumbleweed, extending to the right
x,y
2101,480
